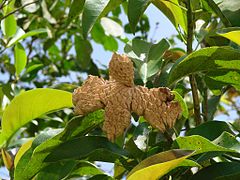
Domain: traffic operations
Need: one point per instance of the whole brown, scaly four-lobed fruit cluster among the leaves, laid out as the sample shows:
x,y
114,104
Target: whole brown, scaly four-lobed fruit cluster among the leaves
x,y
120,97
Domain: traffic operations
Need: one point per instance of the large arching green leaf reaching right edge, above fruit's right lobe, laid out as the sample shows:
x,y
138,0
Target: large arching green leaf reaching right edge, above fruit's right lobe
x,y
205,60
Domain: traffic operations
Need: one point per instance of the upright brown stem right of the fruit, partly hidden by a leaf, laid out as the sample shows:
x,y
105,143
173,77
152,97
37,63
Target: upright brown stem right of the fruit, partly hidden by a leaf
x,y
193,83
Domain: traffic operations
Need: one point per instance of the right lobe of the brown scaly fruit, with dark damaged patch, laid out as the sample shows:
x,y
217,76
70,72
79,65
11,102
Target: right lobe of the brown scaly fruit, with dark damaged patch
x,y
156,106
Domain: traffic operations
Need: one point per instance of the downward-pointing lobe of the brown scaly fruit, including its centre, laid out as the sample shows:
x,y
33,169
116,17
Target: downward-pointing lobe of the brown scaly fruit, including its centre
x,y
117,111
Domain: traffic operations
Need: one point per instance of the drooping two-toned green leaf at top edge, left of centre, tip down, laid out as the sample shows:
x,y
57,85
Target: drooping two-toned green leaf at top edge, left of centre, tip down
x,y
93,10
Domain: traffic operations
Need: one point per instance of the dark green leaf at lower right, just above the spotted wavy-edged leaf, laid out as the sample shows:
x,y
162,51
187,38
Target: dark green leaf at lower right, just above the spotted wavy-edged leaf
x,y
210,130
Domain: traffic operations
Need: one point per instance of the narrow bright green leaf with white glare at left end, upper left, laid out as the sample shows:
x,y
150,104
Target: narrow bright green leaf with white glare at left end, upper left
x,y
22,35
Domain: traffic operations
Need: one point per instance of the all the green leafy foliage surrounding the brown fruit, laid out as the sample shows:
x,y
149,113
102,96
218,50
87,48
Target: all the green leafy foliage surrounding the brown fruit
x,y
45,43
